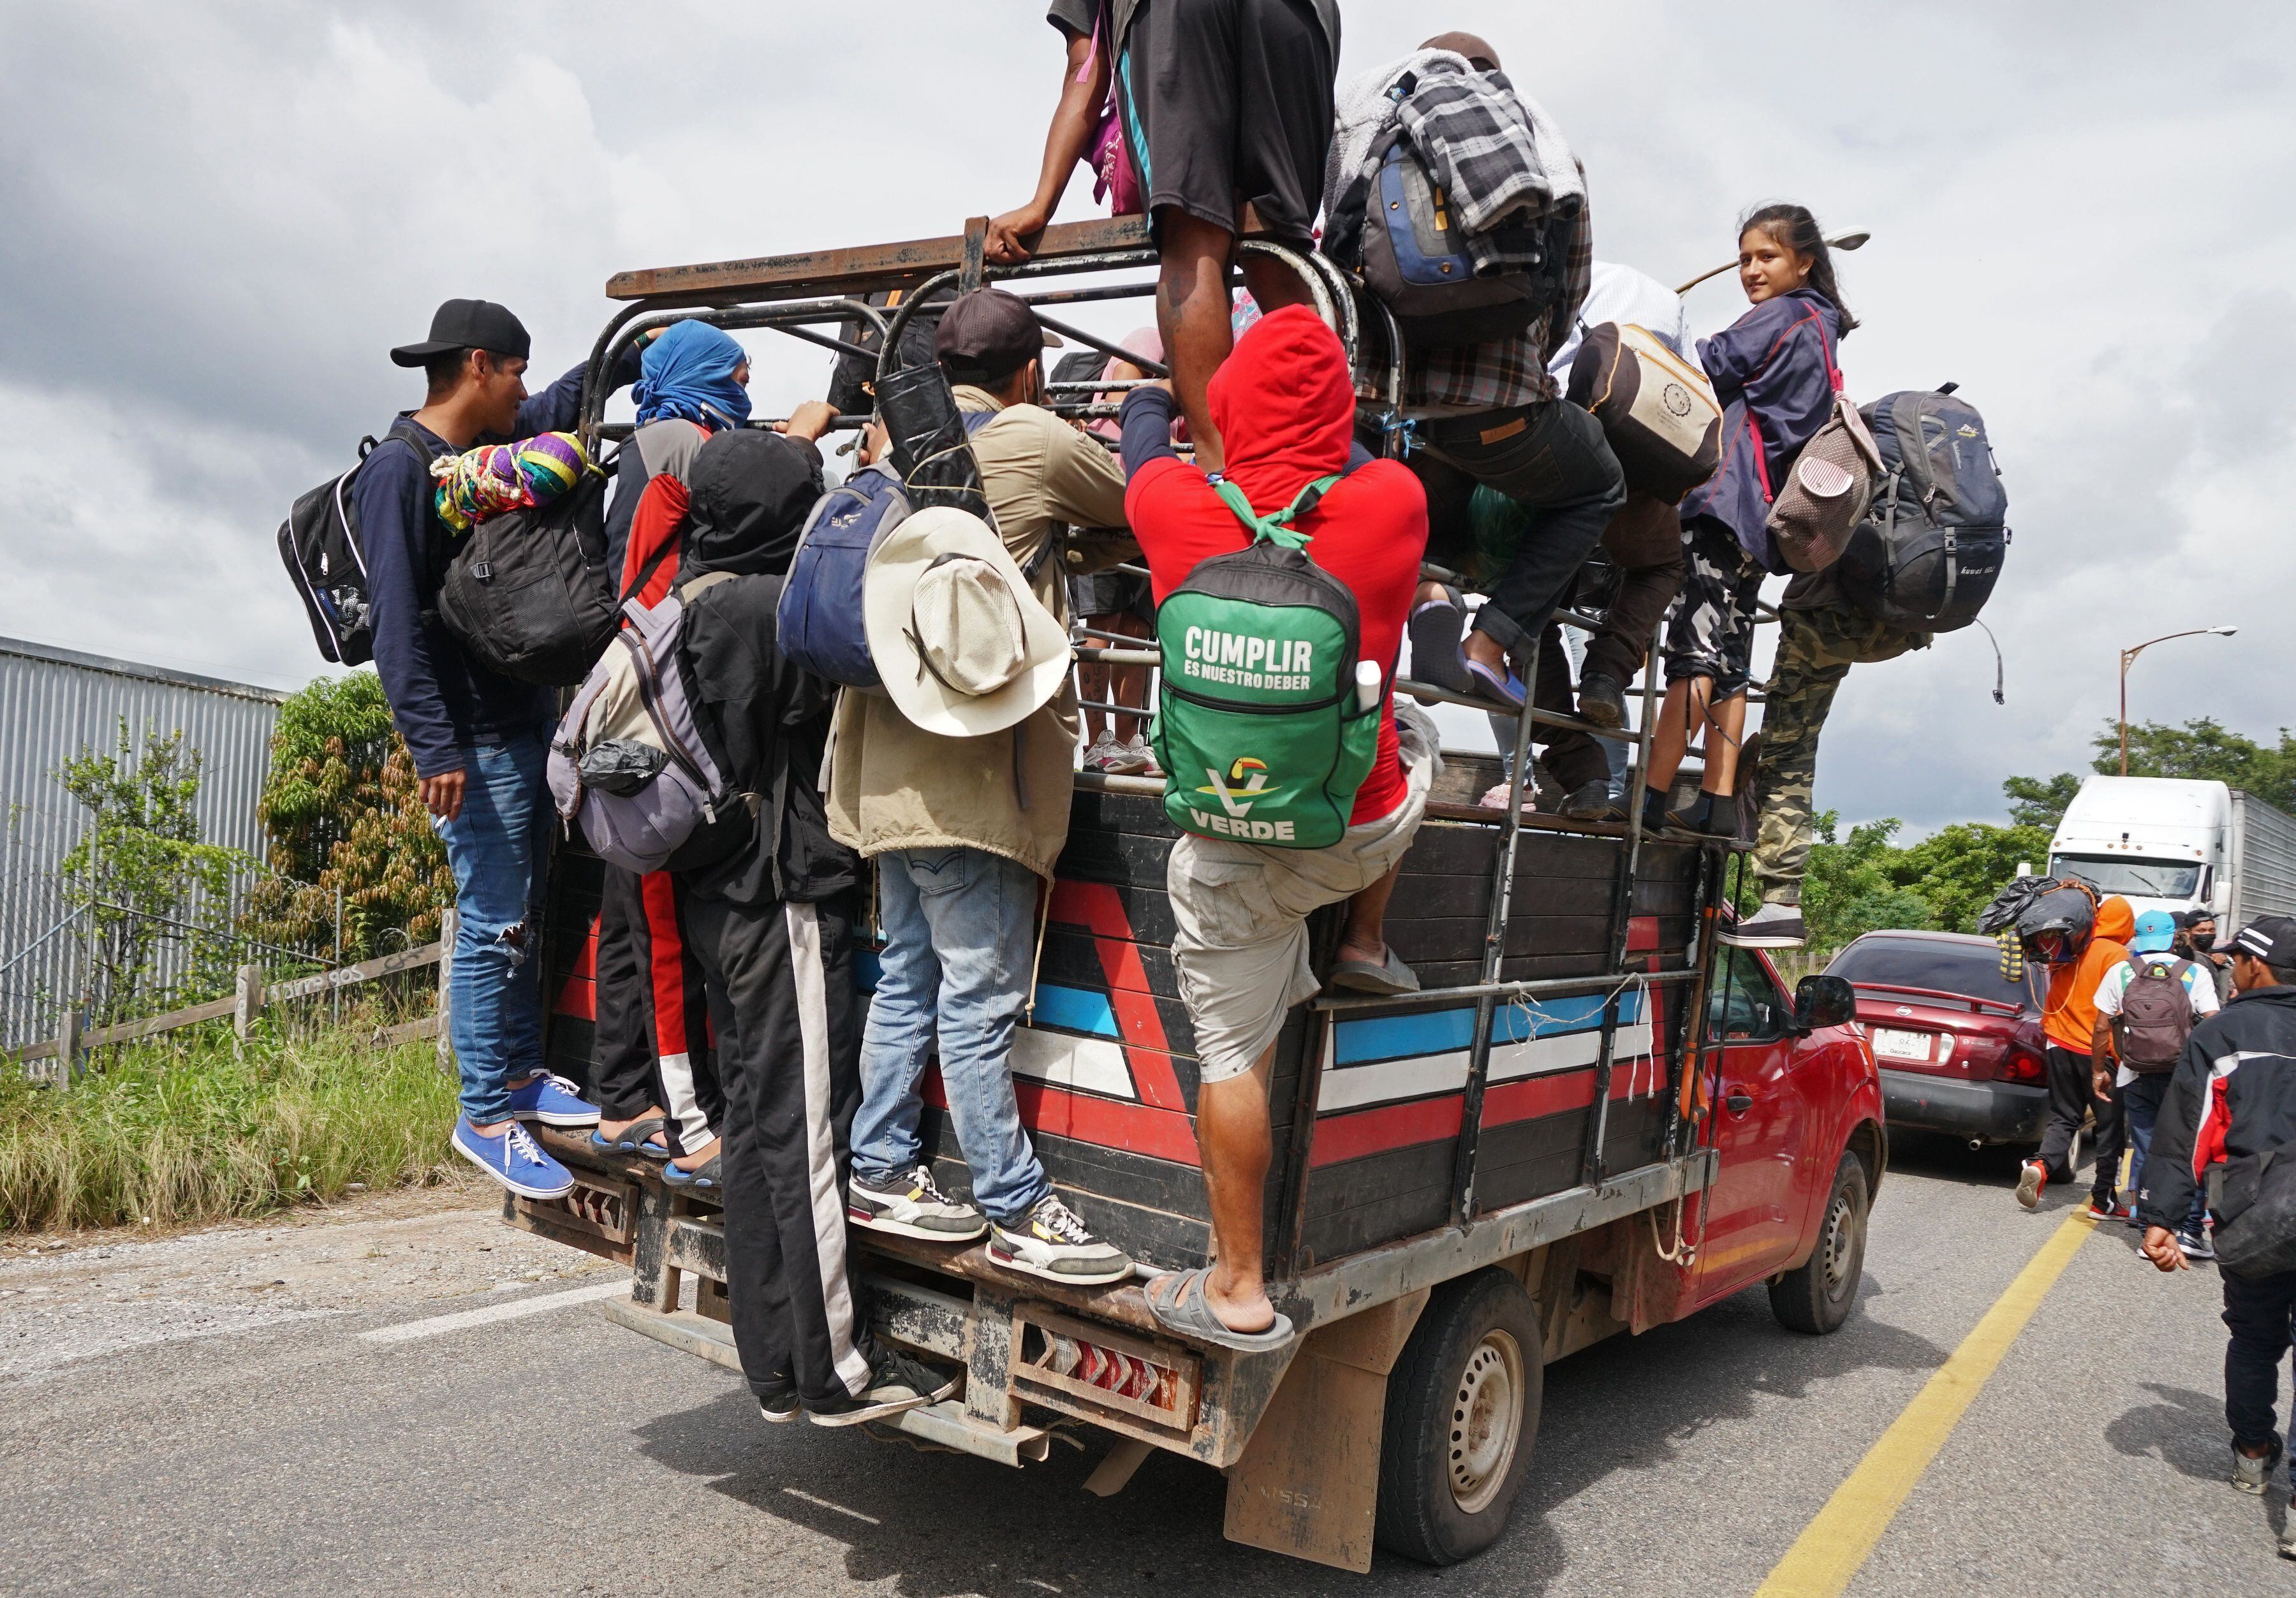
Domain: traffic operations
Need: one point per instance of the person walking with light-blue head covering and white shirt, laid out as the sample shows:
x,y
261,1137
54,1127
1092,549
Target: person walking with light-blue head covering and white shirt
x,y
2146,1014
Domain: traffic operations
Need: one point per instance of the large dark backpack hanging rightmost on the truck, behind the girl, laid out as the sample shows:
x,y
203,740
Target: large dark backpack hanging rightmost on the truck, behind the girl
x,y
1934,541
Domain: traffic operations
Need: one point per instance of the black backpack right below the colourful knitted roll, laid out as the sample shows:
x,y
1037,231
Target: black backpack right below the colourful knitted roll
x,y
529,594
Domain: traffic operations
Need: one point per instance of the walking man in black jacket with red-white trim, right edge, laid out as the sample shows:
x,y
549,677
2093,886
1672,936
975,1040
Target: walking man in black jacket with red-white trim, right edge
x,y
2235,1099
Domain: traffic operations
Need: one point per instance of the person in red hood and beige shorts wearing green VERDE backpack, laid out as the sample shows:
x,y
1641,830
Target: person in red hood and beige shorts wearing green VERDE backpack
x,y
1287,408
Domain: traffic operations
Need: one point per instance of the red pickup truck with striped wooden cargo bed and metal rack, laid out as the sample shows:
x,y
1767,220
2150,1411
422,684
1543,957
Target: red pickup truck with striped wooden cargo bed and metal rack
x,y
1590,1119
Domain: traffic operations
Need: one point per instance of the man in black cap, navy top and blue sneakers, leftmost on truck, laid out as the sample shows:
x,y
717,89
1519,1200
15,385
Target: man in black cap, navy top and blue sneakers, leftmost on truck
x,y
479,740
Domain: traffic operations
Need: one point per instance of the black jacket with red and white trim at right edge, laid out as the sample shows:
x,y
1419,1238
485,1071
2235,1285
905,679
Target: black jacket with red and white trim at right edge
x,y
2233,1094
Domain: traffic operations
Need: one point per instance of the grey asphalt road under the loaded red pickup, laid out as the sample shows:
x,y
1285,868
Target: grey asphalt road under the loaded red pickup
x,y
564,1455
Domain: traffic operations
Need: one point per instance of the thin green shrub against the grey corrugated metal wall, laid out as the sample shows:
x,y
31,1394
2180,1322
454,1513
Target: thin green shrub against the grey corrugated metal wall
x,y
143,876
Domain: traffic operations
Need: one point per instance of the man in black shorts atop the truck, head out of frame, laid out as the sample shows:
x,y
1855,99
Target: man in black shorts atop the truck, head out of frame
x,y
1223,116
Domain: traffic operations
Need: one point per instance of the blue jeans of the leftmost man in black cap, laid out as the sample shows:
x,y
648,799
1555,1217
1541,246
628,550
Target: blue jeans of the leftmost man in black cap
x,y
497,848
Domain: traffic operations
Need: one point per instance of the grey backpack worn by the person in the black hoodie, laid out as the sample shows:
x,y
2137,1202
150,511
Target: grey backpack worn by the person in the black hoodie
x,y
628,759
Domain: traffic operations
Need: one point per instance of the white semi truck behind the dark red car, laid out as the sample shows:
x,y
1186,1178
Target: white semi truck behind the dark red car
x,y
2173,844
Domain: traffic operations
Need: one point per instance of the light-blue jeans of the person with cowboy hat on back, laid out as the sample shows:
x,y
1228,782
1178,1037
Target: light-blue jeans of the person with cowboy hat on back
x,y
959,938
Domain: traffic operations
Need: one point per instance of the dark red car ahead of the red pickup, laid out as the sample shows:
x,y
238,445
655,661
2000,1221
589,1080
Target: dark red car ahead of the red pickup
x,y
1960,1048
